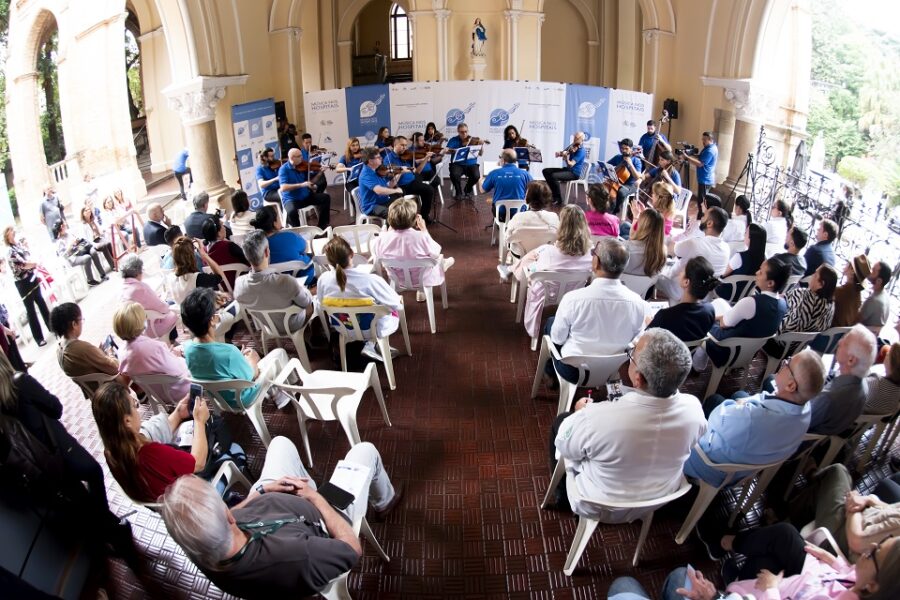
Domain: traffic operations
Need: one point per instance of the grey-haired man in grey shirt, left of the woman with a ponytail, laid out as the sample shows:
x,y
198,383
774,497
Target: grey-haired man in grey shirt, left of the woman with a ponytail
x,y
263,289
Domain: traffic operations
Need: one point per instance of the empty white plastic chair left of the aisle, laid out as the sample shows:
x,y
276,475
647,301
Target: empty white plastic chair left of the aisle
x,y
330,396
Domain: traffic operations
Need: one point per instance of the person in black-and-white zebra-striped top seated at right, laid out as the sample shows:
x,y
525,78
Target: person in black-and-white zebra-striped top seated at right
x,y
810,309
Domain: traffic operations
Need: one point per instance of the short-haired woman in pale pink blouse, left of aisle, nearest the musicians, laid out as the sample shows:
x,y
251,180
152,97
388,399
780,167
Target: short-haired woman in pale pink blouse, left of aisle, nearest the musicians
x,y
408,239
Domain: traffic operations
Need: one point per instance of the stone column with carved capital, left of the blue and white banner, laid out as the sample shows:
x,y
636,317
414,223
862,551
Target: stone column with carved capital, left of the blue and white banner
x,y
196,102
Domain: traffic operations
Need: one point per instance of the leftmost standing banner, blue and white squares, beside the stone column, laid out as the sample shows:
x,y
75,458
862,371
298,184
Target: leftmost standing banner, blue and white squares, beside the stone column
x,y
254,128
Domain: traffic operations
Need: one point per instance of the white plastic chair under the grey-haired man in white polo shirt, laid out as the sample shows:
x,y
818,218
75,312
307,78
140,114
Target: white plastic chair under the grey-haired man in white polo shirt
x,y
587,525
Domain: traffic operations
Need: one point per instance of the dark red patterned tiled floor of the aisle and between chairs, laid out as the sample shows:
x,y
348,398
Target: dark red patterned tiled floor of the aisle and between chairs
x,y
467,439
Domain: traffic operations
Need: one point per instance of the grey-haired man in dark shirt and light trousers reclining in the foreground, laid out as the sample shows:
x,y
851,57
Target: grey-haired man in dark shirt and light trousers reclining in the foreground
x,y
274,544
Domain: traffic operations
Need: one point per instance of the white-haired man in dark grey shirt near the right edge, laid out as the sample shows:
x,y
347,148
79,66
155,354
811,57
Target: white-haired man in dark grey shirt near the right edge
x,y
843,399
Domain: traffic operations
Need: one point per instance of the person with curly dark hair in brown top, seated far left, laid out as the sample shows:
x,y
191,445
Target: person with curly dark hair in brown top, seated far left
x,y
77,357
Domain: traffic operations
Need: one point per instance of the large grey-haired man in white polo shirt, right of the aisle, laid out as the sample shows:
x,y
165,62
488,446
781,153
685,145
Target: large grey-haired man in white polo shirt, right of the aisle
x,y
633,448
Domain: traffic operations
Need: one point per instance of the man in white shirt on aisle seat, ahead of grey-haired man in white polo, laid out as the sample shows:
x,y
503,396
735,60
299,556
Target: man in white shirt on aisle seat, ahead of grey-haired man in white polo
x,y
602,318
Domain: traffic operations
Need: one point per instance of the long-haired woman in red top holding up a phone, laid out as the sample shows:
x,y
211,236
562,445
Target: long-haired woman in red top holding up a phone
x,y
142,456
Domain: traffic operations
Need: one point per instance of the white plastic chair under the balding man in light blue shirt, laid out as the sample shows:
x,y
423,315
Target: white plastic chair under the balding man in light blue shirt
x,y
708,492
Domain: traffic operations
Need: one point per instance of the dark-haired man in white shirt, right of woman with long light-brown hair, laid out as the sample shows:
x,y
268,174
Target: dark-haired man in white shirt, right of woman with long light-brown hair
x,y
710,246
